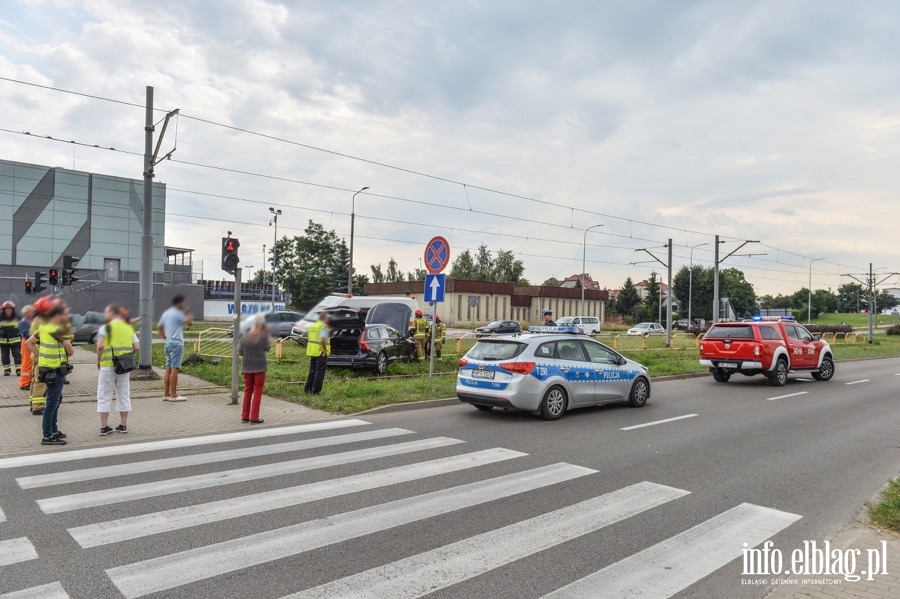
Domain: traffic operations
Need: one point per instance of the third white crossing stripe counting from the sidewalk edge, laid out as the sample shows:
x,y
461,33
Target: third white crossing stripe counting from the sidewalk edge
x,y
65,503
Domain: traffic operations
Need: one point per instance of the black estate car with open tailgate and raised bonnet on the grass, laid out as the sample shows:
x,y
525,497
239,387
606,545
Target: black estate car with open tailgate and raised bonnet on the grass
x,y
368,337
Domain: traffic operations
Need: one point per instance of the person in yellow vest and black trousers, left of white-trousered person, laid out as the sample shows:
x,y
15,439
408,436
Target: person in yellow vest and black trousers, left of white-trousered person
x,y
53,348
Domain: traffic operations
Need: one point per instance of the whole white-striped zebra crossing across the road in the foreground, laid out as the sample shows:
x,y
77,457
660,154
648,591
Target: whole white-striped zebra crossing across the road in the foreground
x,y
188,505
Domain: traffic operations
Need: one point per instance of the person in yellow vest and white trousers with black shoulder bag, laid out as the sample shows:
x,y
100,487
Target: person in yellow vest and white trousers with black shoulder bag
x,y
116,339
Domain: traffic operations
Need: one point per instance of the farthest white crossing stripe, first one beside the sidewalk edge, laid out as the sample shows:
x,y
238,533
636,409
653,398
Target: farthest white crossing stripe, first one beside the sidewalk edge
x,y
118,450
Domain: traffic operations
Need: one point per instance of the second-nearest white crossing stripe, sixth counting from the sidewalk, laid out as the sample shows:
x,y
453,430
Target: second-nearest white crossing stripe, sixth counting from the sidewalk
x,y
439,568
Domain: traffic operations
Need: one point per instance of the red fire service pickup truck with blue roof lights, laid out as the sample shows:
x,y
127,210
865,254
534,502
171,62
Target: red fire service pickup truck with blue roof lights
x,y
769,347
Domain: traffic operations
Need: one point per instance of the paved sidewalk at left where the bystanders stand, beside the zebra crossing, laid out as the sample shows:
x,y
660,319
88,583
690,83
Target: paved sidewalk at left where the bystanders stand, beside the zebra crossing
x,y
207,410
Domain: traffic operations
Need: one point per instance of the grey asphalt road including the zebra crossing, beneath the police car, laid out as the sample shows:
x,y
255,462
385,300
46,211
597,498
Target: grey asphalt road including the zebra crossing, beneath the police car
x,y
461,503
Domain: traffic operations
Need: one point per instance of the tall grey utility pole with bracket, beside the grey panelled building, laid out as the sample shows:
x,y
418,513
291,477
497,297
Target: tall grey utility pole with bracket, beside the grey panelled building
x,y
146,273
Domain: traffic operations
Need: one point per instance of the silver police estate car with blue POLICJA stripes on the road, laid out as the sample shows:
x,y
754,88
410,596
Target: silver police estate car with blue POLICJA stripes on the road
x,y
548,374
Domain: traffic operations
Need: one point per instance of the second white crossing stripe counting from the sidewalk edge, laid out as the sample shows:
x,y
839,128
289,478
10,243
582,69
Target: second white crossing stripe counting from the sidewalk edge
x,y
105,472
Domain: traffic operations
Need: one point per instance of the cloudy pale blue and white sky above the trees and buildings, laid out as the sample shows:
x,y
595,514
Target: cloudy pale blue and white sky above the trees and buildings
x,y
514,123
